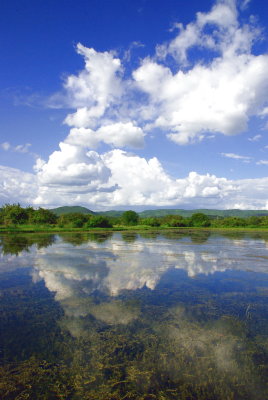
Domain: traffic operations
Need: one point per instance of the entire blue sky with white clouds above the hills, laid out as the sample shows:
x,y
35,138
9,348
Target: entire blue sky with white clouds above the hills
x,y
141,104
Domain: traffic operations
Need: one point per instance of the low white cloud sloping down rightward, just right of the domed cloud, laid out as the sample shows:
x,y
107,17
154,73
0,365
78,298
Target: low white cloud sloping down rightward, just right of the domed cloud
x,y
146,182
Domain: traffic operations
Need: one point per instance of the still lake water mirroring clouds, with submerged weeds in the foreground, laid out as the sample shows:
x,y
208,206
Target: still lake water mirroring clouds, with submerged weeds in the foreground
x,y
134,316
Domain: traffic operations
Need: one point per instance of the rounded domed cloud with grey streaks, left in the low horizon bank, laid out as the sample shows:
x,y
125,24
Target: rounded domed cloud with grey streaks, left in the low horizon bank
x,y
71,174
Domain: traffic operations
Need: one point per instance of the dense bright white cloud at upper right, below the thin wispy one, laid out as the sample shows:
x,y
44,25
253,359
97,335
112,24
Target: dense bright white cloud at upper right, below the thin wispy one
x,y
216,98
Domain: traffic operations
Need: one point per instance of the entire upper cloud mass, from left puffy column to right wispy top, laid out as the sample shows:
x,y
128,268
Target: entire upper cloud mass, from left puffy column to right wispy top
x,y
217,92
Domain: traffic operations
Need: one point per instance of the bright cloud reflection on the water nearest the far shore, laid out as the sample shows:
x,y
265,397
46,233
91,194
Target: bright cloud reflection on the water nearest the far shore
x,y
115,265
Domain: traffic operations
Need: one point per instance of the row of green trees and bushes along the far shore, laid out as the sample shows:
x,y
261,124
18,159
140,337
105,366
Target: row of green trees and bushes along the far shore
x,y
14,214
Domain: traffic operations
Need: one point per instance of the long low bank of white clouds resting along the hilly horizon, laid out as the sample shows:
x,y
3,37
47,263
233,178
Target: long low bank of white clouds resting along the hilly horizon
x,y
117,179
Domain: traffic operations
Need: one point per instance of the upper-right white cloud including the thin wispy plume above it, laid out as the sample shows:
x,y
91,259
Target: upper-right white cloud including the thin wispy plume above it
x,y
219,96
